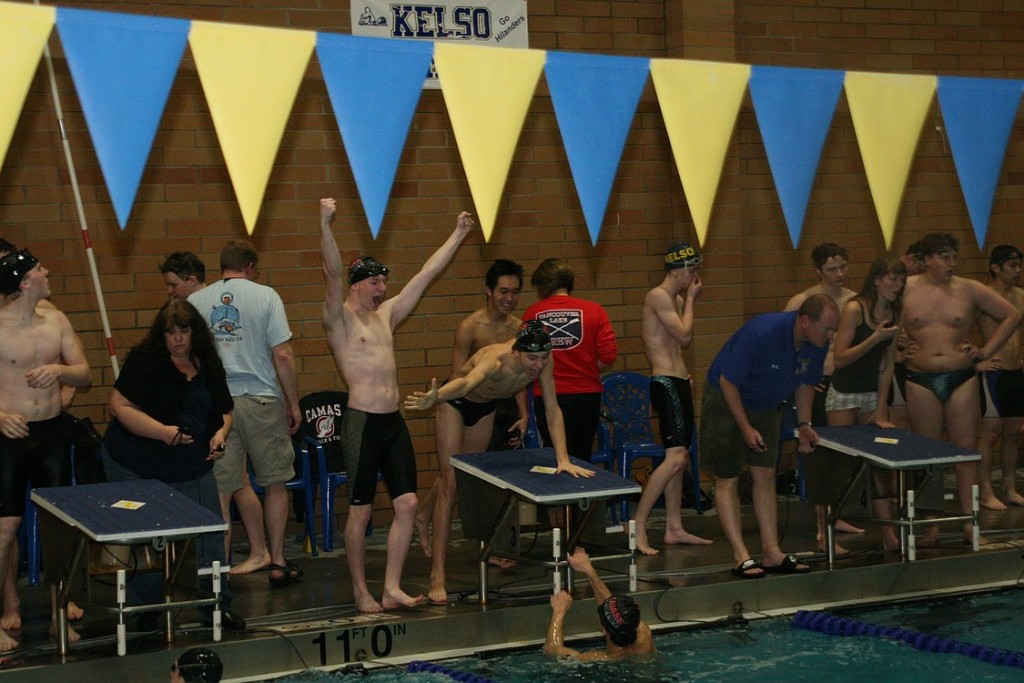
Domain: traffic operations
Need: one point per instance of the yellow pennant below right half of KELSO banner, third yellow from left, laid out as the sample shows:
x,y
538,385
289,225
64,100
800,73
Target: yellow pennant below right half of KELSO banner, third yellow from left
x,y
488,92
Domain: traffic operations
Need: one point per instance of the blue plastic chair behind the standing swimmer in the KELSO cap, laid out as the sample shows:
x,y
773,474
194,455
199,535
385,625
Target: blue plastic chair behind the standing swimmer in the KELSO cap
x,y
627,401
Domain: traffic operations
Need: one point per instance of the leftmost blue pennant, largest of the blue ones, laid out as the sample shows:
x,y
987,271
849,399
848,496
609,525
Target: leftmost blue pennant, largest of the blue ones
x,y
123,67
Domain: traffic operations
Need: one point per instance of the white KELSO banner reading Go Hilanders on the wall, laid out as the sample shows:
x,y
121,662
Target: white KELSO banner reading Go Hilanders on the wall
x,y
496,23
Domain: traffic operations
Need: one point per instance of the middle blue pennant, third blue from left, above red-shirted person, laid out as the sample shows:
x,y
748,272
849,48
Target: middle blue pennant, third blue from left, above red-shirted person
x,y
595,99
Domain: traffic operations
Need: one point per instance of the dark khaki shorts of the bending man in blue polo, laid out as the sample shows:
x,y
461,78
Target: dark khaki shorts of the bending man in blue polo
x,y
723,450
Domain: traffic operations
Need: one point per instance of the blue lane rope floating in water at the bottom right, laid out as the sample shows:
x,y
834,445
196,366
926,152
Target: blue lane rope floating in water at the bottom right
x,y
835,626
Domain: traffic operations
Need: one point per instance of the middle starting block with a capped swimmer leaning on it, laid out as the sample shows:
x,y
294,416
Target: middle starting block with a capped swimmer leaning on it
x,y
492,486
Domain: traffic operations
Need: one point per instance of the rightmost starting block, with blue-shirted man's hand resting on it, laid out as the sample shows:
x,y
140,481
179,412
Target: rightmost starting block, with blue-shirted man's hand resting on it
x,y
838,472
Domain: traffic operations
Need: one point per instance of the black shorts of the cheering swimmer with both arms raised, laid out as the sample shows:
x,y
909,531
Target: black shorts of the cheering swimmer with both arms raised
x,y
375,443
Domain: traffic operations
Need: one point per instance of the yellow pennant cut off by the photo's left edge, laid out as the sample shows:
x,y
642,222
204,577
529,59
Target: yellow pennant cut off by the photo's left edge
x,y
24,32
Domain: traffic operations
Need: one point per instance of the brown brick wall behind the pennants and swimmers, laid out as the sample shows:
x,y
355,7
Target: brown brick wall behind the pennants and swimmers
x,y
187,202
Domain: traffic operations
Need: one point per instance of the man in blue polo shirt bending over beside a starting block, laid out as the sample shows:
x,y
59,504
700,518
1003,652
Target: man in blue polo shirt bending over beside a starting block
x,y
762,364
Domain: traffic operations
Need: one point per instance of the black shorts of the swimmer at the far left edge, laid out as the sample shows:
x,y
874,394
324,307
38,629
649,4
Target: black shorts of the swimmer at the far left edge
x,y
41,458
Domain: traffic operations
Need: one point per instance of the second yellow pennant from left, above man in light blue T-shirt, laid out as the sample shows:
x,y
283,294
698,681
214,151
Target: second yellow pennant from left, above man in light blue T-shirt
x,y
250,76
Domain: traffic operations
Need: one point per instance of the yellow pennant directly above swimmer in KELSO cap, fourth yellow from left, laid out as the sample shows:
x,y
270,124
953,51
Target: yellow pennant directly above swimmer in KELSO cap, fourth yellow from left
x,y
700,104
